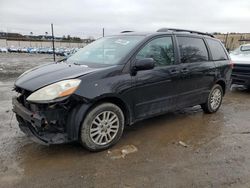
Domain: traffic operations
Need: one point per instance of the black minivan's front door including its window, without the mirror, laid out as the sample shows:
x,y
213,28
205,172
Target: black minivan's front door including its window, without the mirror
x,y
156,89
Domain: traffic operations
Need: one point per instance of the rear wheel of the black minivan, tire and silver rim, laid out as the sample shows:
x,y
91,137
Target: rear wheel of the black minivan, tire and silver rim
x,y
214,100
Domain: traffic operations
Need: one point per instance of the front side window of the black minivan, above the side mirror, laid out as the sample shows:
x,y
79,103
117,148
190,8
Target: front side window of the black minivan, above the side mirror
x,y
160,49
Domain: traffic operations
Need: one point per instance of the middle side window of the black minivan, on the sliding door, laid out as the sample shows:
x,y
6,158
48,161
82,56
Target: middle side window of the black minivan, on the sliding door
x,y
192,50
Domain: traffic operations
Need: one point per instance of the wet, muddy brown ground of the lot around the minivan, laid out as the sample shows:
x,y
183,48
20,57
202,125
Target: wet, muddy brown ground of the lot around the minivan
x,y
214,150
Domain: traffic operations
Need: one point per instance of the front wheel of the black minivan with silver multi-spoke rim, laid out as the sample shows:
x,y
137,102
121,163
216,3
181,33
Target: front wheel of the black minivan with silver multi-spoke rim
x,y
102,127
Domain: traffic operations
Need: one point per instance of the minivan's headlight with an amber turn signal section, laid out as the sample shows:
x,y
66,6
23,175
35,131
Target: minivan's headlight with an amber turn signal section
x,y
54,91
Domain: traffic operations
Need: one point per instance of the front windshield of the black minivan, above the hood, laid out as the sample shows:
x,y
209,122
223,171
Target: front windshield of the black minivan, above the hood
x,y
107,50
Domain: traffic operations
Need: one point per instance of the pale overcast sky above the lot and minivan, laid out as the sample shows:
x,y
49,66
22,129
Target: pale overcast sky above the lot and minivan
x,y
87,17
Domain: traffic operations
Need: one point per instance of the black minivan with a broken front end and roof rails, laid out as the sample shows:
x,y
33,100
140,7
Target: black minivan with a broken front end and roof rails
x,y
119,80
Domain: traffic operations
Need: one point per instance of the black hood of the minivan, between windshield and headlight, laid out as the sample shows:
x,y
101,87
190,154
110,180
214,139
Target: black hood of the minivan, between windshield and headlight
x,y
50,73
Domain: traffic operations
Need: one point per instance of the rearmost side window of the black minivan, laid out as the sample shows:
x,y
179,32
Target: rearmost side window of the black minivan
x,y
216,49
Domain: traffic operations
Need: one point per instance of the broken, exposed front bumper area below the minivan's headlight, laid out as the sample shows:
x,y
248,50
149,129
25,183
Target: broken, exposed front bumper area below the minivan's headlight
x,y
38,126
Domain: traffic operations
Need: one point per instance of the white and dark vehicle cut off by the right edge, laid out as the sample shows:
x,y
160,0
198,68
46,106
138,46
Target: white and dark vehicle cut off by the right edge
x,y
241,70
